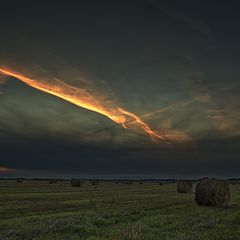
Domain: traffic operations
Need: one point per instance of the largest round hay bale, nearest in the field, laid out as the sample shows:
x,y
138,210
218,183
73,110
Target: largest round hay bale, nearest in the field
x,y
212,192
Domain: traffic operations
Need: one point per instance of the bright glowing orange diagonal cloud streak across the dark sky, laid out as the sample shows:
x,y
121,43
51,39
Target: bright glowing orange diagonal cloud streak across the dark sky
x,y
83,98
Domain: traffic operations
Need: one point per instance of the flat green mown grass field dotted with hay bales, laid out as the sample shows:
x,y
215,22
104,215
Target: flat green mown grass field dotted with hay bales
x,y
42,211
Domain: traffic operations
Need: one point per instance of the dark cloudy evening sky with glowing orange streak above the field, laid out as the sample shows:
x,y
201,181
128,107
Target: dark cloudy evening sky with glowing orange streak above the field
x,y
141,88
